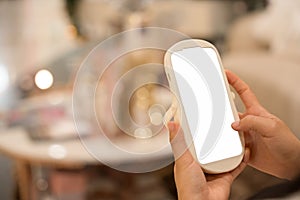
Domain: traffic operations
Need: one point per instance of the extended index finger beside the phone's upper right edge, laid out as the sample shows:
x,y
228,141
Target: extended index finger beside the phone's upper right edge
x,y
243,90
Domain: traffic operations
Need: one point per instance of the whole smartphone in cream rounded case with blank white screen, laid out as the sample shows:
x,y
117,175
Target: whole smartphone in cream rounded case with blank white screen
x,y
197,79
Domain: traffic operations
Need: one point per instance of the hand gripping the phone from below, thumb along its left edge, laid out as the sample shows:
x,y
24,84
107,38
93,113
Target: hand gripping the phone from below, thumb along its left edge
x,y
190,180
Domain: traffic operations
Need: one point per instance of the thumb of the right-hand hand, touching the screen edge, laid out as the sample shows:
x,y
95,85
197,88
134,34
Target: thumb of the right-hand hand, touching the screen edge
x,y
257,124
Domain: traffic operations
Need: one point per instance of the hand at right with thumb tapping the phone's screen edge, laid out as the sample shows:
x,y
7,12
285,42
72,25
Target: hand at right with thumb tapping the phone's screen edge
x,y
274,149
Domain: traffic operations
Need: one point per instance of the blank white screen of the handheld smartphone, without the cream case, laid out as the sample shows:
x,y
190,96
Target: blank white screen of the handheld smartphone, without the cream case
x,y
204,98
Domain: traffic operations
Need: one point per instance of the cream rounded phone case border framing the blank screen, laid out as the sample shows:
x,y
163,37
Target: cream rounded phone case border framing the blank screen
x,y
220,166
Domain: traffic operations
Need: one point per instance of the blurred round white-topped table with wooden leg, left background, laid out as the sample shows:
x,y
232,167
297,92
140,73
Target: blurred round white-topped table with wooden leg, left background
x,y
66,154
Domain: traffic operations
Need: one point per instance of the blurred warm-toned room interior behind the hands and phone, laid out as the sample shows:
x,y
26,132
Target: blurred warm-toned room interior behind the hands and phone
x,y
78,120
